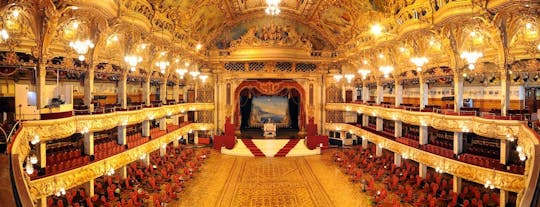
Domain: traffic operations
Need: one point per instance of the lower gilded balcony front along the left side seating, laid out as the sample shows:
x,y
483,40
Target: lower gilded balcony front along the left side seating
x,y
49,185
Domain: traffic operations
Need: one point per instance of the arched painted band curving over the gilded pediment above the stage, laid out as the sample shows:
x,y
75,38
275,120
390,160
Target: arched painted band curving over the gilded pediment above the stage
x,y
305,32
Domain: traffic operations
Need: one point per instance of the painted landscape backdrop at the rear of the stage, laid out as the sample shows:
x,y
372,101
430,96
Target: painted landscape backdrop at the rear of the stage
x,y
274,109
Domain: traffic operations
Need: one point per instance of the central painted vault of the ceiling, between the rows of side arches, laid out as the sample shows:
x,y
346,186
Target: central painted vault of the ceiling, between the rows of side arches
x,y
326,23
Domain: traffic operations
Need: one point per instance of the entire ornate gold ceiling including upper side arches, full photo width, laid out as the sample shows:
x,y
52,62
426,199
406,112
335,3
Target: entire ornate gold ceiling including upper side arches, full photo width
x,y
340,29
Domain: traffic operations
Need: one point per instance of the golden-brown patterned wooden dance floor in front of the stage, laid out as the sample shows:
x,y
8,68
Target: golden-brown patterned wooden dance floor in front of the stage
x,y
241,181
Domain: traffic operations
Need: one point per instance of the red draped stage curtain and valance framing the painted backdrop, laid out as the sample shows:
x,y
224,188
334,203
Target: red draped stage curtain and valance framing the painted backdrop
x,y
271,87
